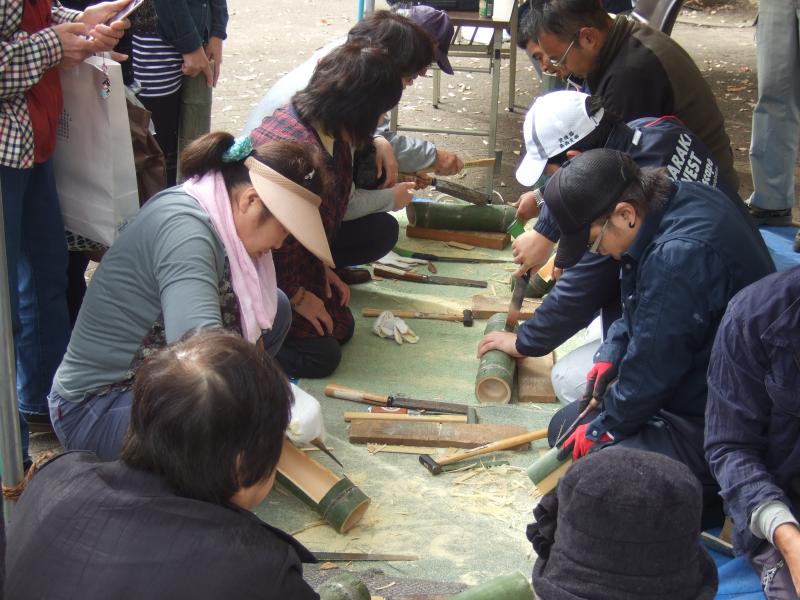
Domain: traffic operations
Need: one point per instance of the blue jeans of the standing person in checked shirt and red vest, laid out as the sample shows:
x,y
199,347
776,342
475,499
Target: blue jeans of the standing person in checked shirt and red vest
x,y
36,252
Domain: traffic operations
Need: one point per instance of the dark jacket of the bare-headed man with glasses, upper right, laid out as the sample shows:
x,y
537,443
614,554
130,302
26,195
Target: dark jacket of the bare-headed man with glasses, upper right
x,y
641,72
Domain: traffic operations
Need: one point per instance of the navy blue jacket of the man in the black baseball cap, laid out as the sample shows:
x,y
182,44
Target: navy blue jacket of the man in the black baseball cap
x,y
686,263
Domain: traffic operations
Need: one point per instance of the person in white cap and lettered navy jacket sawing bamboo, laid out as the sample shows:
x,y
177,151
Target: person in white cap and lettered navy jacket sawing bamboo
x,y
558,127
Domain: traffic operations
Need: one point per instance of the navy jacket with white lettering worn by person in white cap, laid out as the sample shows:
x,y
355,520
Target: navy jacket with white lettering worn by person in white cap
x,y
593,283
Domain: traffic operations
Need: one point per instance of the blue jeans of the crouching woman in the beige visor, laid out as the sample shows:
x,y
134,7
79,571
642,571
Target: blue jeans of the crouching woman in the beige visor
x,y
99,422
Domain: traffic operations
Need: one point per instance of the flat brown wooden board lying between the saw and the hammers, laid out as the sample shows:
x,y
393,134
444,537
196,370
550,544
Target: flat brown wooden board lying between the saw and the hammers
x,y
439,435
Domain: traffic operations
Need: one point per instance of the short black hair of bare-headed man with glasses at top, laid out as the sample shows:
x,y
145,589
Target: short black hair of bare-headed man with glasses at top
x,y
565,18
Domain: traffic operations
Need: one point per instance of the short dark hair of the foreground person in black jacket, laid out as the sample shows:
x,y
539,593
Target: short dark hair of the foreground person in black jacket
x,y
209,415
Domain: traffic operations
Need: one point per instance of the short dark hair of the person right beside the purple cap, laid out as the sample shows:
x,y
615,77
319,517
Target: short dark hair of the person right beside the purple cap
x,y
410,47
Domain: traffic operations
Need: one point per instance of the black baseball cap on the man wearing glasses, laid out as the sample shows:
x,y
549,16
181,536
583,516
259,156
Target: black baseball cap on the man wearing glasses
x,y
584,188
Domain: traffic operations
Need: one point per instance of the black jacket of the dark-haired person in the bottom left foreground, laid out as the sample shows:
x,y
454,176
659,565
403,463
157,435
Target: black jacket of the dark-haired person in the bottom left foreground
x,y
91,530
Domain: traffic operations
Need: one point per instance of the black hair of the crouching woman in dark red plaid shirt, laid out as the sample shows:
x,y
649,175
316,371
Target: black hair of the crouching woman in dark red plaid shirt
x,y
350,90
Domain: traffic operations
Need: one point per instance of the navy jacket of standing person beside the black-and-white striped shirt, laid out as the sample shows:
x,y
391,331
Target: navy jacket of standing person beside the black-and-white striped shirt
x,y
188,24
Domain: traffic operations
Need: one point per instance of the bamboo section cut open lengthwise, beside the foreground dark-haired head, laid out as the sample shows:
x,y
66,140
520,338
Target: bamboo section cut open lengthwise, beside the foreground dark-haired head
x,y
340,502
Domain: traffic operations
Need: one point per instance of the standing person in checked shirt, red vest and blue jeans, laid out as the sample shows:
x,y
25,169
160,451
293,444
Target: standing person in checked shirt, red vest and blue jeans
x,y
35,37
